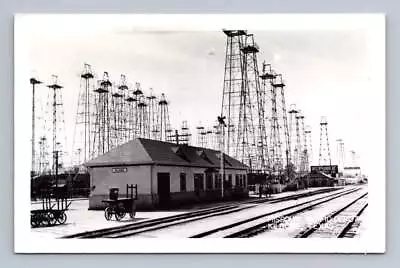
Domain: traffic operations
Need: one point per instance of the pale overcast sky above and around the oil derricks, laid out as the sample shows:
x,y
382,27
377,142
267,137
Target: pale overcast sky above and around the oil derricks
x,y
327,73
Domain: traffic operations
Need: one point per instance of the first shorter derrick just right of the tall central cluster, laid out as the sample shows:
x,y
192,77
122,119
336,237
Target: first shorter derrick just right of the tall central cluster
x,y
294,135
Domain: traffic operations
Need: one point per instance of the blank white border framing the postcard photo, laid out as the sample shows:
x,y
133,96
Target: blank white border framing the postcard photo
x,y
374,239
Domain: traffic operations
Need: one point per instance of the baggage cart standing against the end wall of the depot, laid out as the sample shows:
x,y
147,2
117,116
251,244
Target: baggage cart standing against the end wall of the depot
x,y
119,207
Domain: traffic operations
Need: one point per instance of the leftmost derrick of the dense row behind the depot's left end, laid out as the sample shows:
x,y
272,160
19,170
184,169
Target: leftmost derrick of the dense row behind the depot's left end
x,y
83,120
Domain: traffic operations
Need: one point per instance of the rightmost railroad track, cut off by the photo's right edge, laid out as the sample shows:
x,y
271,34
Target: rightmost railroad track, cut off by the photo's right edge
x,y
338,223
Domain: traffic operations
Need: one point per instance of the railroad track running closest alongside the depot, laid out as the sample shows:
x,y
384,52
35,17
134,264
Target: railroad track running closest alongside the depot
x,y
159,223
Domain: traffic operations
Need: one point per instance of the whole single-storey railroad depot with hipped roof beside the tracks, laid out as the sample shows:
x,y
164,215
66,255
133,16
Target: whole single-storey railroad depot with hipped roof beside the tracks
x,y
166,174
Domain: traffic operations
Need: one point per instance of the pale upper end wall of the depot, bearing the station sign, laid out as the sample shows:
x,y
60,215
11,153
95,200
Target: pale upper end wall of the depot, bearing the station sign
x,y
103,179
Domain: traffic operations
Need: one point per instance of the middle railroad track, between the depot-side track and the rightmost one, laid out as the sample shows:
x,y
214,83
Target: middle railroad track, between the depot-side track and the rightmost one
x,y
261,223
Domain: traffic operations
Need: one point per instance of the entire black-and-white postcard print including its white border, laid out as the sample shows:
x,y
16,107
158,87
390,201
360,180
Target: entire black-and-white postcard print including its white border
x,y
165,133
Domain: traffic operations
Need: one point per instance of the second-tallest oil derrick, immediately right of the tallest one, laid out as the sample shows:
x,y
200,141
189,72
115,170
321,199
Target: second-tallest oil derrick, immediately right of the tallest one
x,y
255,117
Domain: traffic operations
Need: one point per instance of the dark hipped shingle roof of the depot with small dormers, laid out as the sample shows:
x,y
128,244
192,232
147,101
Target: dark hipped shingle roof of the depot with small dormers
x,y
146,152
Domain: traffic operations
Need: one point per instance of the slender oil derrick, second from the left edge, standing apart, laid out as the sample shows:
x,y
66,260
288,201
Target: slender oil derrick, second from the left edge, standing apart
x,y
57,126
